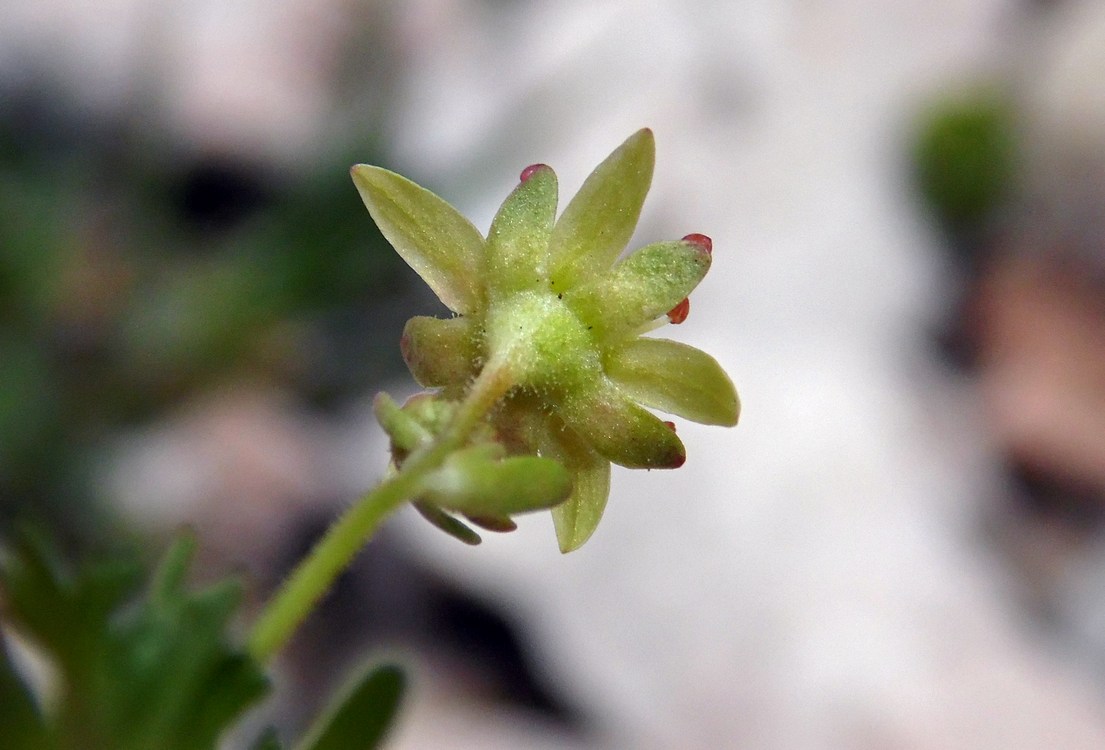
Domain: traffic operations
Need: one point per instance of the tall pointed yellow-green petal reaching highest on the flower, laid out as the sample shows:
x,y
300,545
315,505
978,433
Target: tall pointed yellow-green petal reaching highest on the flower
x,y
601,219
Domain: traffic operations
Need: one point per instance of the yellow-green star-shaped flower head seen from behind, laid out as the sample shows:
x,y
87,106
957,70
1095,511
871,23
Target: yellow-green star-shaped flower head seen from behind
x,y
548,305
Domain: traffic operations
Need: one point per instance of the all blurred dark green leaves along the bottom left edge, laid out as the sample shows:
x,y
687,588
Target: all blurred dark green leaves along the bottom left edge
x,y
150,666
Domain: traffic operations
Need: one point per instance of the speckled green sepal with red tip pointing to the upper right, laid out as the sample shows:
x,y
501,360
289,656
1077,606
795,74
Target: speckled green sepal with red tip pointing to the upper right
x,y
643,288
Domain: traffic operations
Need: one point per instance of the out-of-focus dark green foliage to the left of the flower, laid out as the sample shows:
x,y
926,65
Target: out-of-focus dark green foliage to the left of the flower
x,y
134,274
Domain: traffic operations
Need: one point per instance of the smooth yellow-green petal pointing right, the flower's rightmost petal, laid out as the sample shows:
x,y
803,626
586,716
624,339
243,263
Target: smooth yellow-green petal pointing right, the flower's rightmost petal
x,y
677,379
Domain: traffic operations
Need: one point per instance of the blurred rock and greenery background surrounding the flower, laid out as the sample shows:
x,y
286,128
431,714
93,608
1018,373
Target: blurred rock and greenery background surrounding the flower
x,y
901,546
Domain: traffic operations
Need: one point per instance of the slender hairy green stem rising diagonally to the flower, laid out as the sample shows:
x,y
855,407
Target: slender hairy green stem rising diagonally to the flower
x,y
350,534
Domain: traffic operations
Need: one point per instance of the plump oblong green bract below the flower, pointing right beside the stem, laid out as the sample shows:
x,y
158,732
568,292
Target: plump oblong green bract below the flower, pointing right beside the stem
x,y
477,482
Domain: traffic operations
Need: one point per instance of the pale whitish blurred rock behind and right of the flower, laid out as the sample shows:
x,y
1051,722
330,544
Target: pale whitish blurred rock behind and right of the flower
x,y
818,577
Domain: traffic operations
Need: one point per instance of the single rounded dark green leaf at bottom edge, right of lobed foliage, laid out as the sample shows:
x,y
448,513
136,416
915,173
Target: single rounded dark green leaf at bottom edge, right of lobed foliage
x,y
362,717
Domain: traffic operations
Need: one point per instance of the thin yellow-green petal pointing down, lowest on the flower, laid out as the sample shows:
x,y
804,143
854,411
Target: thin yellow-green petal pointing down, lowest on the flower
x,y
576,519
